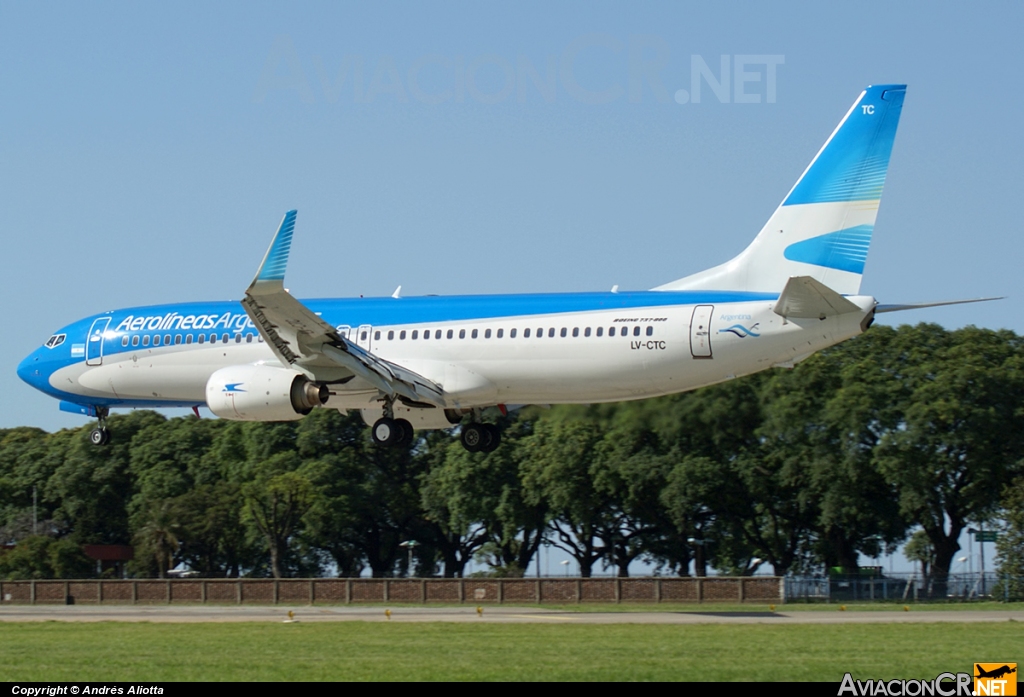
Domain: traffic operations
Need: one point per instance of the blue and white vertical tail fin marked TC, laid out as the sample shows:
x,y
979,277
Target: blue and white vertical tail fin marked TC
x,y
824,228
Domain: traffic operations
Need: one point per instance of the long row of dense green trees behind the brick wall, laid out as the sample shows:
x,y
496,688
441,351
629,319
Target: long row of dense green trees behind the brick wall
x,y
901,430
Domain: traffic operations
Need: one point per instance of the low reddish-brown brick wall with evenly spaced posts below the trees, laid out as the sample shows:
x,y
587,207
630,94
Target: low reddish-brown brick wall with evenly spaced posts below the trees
x,y
349,591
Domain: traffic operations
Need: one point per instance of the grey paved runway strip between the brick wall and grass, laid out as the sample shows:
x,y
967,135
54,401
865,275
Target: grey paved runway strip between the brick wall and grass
x,y
503,615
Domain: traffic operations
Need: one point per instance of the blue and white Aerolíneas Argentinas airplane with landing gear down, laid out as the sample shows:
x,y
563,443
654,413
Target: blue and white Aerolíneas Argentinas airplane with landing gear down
x,y
426,363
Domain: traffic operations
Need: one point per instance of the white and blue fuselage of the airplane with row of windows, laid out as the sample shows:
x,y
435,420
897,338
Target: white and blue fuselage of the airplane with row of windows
x,y
484,351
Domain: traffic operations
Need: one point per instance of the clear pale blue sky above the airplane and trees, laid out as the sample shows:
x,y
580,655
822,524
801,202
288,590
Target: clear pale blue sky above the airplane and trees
x,y
149,152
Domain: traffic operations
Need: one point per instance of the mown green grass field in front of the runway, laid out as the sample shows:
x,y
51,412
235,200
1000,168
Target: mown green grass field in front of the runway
x,y
357,651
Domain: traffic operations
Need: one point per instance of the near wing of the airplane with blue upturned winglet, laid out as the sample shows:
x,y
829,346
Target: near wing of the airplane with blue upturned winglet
x,y
302,339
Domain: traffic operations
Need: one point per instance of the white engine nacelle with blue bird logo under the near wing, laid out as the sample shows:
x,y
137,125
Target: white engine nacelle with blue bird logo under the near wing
x,y
263,394
